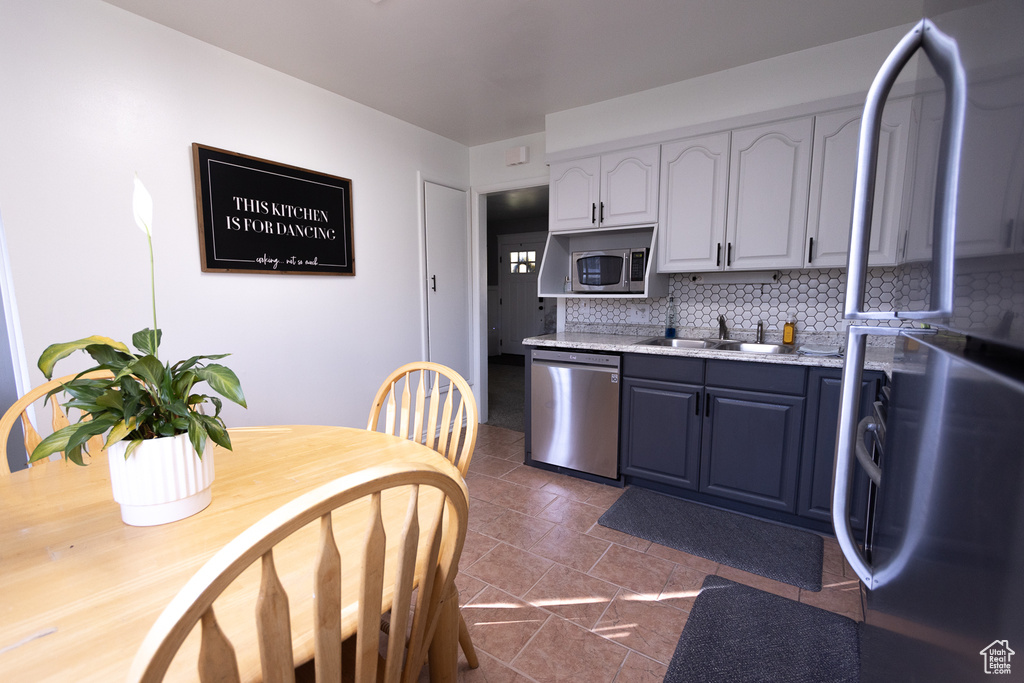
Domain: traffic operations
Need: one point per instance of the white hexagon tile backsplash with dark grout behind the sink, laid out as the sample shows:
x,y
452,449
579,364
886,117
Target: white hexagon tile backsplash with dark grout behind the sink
x,y
813,298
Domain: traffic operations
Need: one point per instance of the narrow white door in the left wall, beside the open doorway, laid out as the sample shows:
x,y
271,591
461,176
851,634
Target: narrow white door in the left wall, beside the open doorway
x,y
449,295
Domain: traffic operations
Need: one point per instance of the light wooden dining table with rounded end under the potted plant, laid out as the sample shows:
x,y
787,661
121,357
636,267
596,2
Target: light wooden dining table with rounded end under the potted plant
x,y
79,589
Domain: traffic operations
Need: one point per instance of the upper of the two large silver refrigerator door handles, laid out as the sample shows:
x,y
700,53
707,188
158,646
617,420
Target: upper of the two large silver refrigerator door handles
x,y
945,56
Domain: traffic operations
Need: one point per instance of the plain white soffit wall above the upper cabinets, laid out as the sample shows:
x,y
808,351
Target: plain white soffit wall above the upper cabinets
x,y
839,69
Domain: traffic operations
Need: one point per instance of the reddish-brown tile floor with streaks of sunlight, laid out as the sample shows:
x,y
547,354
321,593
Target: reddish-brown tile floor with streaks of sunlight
x,y
549,595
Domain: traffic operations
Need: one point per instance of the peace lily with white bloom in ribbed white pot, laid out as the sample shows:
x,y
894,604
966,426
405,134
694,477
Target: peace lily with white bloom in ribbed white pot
x,y
158,435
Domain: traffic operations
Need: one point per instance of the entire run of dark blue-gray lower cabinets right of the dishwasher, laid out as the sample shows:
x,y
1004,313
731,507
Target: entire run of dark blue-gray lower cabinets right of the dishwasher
x,y
756,438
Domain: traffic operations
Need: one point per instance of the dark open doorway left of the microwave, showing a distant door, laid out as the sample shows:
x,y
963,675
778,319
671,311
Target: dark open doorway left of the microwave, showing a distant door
x,y
517,231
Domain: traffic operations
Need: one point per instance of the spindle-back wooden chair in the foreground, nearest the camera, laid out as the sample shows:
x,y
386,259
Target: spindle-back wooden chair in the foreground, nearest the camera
x,y
429,567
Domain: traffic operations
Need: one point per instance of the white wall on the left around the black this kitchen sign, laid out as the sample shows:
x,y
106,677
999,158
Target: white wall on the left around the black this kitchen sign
x,y
91,96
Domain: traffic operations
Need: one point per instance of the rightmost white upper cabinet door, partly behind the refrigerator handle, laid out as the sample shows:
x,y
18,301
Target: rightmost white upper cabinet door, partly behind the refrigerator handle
x,y
834,173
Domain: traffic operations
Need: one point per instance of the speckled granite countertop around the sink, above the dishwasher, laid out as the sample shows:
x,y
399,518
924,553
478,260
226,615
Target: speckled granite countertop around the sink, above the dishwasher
x,y
877,358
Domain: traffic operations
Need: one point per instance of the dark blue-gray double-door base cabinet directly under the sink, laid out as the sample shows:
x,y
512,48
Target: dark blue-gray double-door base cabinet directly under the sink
x,y
728,430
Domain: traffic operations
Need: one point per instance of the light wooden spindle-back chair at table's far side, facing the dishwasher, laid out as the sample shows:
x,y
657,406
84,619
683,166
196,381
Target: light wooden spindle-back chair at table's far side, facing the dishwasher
x,y
441,429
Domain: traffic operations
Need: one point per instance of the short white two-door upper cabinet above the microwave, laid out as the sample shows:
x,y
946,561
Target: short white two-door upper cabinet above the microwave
x,y
614,190
